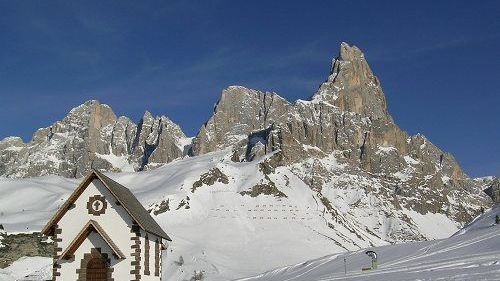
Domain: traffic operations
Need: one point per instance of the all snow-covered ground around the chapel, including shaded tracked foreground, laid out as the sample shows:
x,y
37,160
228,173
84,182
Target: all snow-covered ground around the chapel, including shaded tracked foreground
x,y
223,235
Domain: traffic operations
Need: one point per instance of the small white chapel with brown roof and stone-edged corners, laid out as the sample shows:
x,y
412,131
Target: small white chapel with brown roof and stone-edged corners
x,y
103,233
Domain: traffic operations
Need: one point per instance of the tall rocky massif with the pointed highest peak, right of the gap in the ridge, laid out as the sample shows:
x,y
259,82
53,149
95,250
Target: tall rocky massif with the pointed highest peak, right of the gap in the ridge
x,y
346,118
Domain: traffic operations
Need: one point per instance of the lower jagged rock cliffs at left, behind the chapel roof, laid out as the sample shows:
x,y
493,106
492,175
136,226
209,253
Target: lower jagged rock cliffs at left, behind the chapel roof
x,y
92,136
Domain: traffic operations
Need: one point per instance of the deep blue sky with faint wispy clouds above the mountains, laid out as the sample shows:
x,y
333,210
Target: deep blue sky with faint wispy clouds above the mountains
x,y
438,61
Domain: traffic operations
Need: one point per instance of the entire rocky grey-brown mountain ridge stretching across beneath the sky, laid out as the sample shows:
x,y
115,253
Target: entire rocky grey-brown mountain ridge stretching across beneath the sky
x,y
342,144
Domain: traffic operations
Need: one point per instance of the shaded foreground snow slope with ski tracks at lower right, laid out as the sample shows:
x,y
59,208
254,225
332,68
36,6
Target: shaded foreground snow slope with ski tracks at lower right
x,y
472,254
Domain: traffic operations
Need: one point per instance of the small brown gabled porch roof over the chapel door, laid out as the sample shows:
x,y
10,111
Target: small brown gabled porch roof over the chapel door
x,y
84,233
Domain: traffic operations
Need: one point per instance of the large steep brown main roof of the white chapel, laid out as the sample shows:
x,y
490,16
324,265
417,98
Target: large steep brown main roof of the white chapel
x,y
126,199
